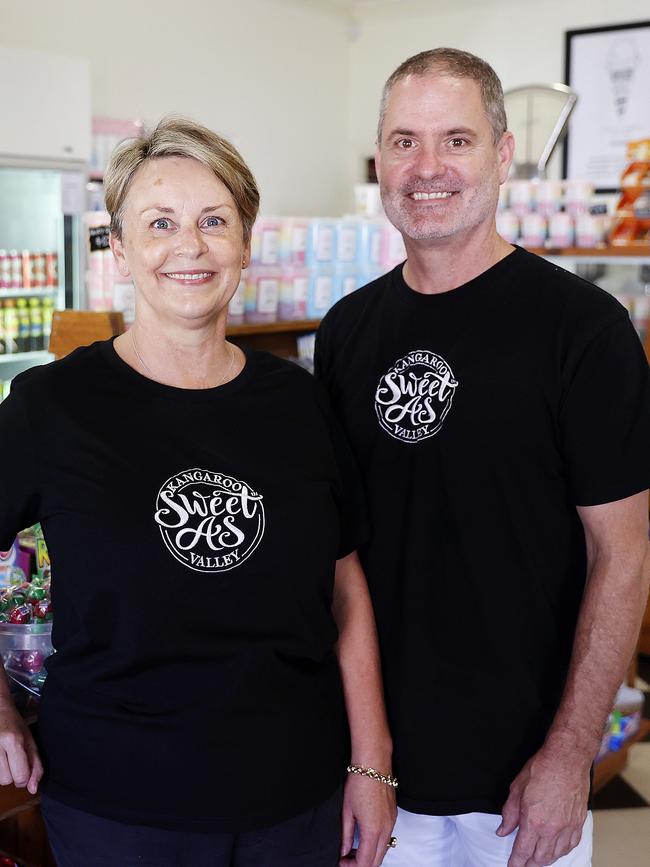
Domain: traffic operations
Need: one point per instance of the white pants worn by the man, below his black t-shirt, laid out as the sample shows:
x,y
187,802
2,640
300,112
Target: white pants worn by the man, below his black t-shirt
x,y
469,840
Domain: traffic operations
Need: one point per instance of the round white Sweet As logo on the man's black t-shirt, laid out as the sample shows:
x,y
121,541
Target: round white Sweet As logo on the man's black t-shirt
x,y
414,397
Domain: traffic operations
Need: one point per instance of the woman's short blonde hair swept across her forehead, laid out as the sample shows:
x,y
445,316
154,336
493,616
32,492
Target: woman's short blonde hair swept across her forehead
x,y
180,137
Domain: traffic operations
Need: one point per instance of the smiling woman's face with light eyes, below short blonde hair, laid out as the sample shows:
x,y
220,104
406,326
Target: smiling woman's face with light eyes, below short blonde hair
x,y
182,241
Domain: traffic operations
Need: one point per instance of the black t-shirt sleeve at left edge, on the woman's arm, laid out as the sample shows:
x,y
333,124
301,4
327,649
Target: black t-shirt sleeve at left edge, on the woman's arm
x,y
18,488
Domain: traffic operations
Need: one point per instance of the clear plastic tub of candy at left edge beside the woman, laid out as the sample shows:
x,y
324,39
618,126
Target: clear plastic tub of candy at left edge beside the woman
x,y
24,649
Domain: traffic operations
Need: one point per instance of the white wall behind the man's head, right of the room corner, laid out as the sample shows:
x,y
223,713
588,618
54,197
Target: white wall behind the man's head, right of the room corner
x,y
523,40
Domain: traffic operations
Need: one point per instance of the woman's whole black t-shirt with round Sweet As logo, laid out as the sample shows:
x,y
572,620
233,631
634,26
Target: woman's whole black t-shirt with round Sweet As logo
x,y
193,536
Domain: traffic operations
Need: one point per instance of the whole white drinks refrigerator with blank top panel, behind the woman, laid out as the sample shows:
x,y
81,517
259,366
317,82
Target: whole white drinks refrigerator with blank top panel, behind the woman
x,y
44,155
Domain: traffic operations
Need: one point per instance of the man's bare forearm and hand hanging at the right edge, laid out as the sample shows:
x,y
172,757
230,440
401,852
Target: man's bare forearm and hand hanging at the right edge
x,y
548,798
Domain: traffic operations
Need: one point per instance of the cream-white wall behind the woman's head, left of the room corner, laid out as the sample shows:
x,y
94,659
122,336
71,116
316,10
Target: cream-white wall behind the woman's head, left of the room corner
x,y
270,75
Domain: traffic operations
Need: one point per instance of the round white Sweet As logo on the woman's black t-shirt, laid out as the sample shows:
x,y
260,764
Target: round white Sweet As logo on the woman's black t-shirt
x,y
208,521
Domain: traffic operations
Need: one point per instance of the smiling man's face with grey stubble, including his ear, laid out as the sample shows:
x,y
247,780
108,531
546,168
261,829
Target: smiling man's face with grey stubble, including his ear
x,y
438,167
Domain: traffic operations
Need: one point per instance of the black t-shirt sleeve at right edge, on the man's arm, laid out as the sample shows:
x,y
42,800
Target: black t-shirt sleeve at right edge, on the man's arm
x,y
605,418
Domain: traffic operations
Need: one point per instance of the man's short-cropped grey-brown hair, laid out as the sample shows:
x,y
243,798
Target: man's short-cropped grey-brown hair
x,y
457,64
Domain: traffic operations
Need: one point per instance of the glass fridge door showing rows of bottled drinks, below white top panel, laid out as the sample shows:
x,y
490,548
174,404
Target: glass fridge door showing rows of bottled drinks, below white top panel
x,y
38,248
